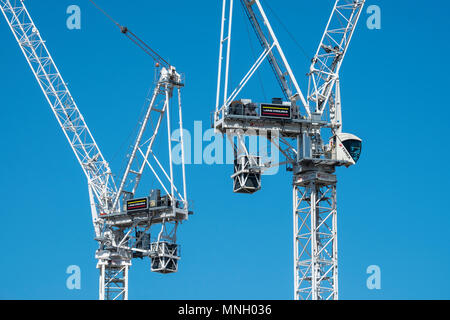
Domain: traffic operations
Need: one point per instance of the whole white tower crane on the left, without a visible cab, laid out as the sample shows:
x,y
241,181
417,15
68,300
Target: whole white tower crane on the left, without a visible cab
x,y
126,226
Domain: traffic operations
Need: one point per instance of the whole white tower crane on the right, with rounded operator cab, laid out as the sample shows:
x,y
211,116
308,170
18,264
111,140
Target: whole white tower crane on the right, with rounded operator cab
x,y
298,125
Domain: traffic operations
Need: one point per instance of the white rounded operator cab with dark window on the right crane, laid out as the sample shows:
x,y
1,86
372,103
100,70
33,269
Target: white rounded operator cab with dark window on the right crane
x,y
346,147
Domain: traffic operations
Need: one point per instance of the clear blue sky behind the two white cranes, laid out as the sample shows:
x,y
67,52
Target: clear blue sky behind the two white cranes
x,y
392,210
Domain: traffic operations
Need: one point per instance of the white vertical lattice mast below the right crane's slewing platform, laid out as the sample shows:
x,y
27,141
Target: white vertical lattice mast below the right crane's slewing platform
x,y
315,242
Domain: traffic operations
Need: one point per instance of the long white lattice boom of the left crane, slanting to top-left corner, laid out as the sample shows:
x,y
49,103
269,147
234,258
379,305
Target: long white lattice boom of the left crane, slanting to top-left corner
x,y
70,119
